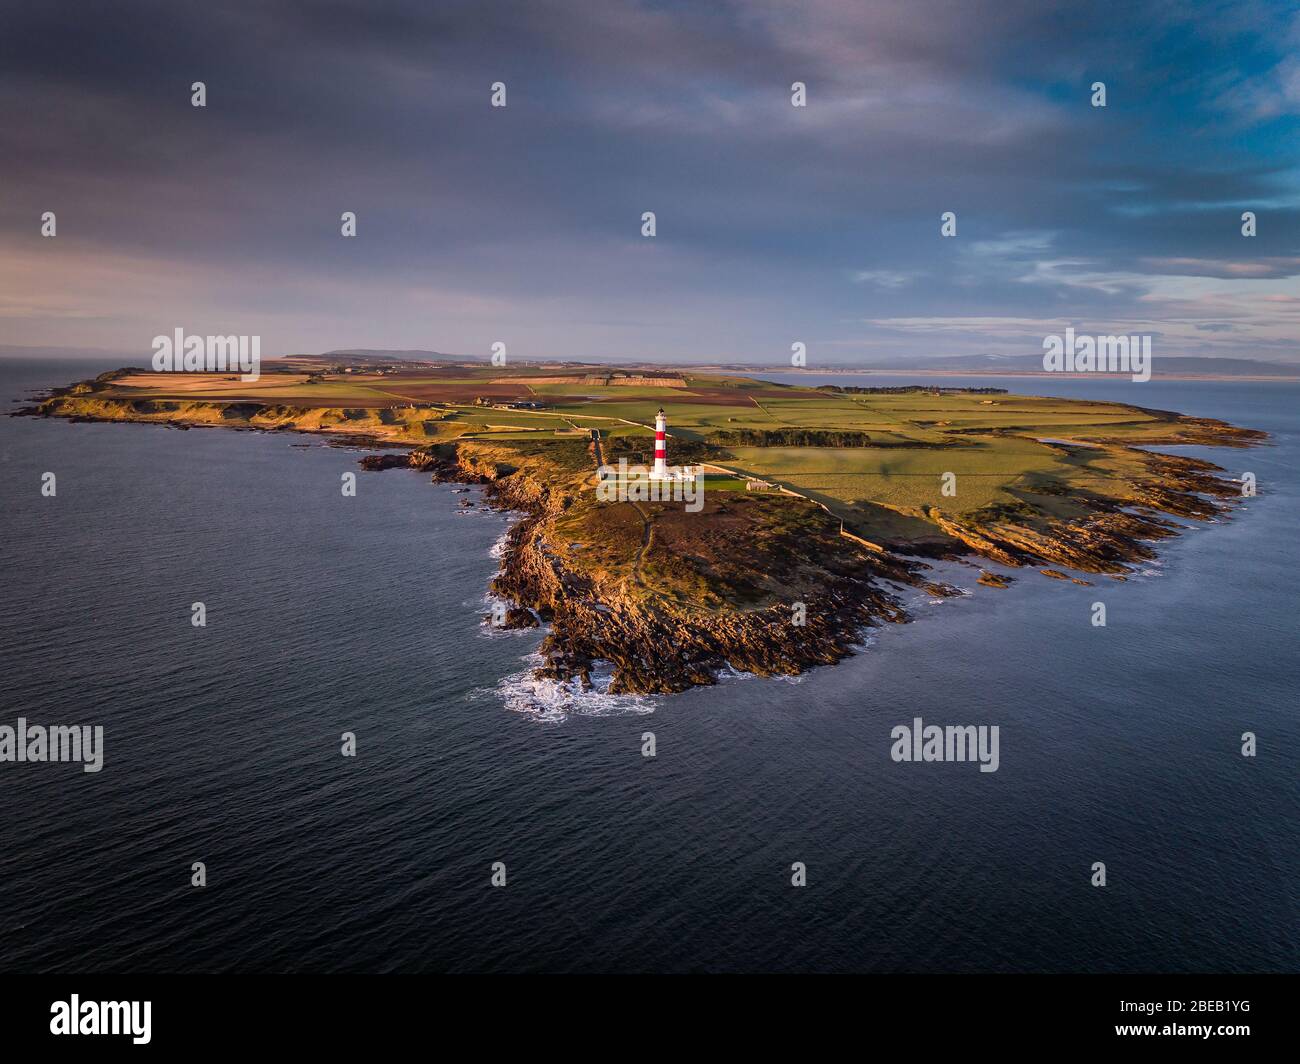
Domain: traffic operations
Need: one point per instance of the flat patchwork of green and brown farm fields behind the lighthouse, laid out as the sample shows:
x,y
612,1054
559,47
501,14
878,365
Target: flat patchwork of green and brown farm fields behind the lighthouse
x,y
989,444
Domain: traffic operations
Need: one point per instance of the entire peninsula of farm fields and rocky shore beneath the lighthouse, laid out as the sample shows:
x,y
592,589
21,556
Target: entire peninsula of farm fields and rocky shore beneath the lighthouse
x,y
817,507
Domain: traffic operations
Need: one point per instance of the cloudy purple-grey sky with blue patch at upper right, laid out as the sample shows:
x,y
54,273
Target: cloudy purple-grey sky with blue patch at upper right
x,y
775,224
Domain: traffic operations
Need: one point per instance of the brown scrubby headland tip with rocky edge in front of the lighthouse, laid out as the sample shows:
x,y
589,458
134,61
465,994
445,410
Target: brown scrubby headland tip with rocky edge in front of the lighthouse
x,y
824,591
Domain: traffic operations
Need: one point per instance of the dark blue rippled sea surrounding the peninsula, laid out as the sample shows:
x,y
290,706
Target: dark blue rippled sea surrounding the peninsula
x,y
330,615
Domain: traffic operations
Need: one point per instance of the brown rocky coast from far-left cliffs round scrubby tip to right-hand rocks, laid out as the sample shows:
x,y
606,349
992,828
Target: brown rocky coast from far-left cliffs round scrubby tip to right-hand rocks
x,y
817,590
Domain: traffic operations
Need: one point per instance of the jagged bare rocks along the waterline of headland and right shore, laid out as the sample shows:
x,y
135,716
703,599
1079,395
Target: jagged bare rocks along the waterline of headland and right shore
x,y
590,626
